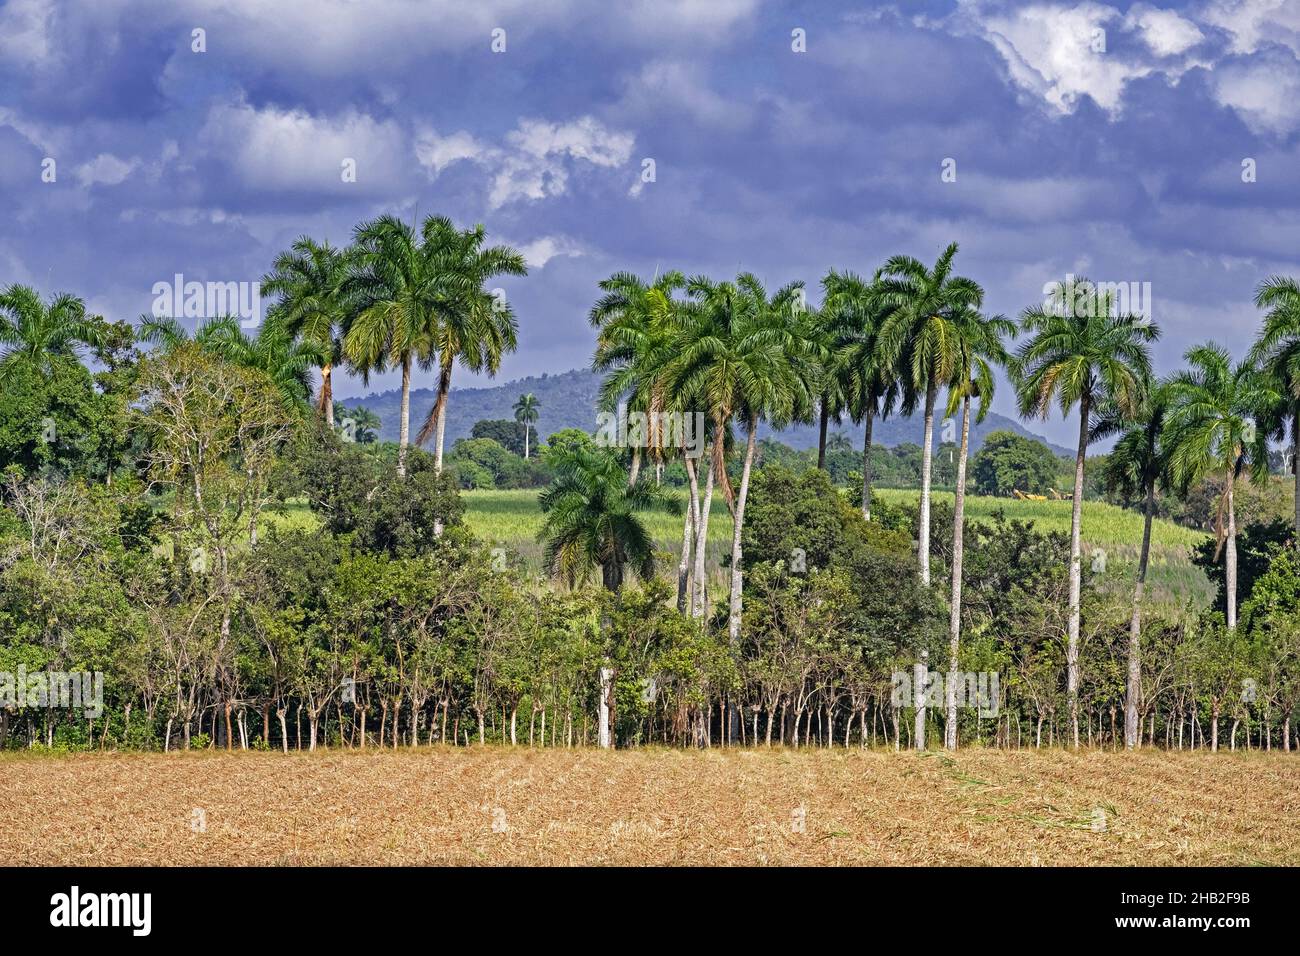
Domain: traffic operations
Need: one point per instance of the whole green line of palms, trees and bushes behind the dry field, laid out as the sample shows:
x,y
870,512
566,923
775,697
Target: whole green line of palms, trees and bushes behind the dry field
x,y
190,520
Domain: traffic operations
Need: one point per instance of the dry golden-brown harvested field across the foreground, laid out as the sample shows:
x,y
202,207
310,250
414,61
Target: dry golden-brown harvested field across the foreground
x,y
495,806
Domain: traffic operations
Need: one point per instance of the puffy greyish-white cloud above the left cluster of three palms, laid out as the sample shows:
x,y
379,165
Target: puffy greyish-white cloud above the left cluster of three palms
x,y
293,150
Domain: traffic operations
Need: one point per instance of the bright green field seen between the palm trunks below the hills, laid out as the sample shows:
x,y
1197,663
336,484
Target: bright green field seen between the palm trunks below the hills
x,y
512,520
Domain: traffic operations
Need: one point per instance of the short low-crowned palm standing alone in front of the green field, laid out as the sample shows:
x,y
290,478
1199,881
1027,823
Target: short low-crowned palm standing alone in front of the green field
x,y
592,524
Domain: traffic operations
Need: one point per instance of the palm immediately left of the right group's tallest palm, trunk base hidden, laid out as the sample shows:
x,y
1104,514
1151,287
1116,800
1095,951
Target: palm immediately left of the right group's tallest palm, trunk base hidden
x,y
872,386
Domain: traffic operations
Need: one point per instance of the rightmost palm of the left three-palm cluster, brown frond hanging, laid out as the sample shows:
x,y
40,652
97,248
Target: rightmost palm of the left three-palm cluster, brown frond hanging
x,y
473,326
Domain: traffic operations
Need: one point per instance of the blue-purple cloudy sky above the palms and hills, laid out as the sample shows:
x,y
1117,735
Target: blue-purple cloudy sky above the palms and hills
x,y
1138,144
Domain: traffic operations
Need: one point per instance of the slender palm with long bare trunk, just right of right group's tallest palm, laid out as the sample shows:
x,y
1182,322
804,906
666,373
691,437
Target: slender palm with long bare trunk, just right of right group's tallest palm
x,y
981,349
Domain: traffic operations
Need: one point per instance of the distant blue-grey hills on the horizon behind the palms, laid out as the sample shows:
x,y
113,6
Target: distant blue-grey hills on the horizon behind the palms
x,y
569,401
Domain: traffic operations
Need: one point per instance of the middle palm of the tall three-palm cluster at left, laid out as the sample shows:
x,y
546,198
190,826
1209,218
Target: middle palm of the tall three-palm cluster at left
x,y
395,309
